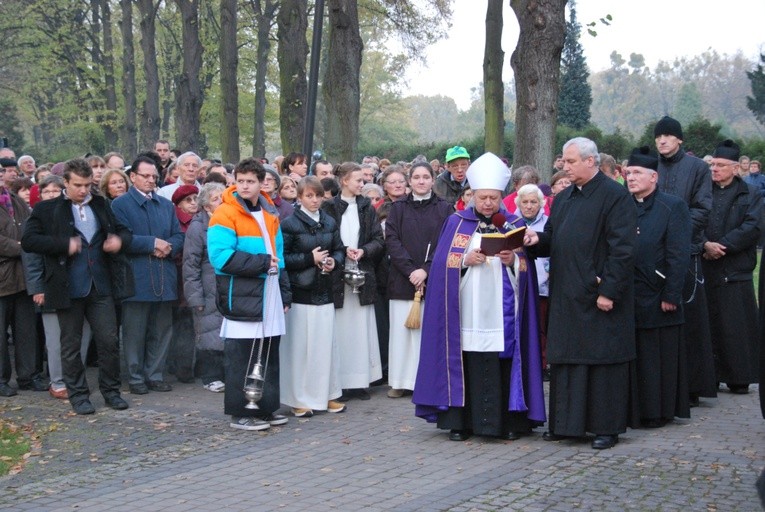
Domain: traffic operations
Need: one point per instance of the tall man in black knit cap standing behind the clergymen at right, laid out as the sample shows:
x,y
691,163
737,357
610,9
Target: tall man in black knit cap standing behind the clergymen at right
x,y
688,178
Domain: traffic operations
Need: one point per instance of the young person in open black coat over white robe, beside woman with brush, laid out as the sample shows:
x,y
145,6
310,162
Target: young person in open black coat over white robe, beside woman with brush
x,y
355,325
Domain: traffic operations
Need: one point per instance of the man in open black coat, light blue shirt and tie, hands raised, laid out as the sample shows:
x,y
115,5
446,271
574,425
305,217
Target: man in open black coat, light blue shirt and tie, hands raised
x,y
81,239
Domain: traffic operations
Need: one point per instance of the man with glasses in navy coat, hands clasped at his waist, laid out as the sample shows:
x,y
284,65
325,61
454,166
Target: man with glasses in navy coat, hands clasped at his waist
x,y
147,316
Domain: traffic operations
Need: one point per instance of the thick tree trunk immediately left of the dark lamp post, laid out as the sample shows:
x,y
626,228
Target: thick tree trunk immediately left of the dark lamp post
x,y
292,53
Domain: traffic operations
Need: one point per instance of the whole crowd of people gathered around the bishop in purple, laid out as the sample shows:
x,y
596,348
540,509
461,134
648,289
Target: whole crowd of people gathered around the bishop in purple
x,y
299,283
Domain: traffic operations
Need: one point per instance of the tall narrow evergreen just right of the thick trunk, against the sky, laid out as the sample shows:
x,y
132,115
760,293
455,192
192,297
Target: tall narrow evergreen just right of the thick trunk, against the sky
x,y
575,93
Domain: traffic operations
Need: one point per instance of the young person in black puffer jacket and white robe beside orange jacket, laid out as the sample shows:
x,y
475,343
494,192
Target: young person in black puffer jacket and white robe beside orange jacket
x,y
313,251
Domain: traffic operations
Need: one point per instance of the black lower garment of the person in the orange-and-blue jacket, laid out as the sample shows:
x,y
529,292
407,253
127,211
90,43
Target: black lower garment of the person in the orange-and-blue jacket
x,y
236,364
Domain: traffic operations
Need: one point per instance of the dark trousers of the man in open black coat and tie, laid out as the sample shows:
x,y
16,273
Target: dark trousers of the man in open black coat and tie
x,y
99,310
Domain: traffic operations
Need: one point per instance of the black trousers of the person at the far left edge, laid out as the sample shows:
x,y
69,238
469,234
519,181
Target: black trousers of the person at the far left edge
x,y
18,312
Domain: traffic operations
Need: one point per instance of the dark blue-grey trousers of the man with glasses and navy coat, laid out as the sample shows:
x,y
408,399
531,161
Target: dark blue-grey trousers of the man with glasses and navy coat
x,y
146,332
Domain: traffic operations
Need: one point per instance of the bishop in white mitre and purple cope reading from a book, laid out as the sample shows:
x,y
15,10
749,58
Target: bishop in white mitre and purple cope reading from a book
x,y
480,369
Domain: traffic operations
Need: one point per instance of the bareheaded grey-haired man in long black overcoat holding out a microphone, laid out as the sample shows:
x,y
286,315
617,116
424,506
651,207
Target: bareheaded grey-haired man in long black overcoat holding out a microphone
x,y
590,238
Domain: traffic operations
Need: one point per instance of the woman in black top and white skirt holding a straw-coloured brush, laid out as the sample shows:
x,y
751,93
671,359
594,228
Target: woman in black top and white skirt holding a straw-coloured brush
x,y
411,235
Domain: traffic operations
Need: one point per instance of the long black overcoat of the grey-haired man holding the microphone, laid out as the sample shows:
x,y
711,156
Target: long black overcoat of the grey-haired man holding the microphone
x,y
590,238
